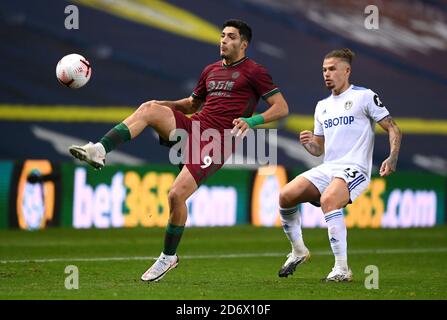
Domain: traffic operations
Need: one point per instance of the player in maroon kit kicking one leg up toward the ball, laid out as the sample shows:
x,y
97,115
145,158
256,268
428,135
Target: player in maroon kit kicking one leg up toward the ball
x,y
226,94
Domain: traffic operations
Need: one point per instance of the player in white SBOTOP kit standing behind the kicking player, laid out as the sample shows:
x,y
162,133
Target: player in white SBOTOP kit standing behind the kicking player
x,y
344,132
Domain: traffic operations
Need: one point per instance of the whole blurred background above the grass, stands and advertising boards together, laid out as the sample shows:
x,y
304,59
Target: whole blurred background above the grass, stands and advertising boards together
x,y
142,50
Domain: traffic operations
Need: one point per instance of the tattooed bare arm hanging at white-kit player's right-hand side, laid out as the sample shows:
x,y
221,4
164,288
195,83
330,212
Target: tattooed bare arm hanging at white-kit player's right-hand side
x,y
389,164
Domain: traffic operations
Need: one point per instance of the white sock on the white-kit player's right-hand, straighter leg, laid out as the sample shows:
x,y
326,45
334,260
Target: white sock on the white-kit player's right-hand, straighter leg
x,y
337,237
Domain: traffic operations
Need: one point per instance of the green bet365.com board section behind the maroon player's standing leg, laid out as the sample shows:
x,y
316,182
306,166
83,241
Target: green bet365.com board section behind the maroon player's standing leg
x,y
122,196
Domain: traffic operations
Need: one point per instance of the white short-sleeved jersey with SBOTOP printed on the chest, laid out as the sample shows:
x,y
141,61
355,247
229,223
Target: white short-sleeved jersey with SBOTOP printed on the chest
x,y
347,123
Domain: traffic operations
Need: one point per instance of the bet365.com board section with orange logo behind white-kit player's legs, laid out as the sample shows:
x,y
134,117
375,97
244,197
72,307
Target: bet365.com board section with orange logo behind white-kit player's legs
x,y
401,200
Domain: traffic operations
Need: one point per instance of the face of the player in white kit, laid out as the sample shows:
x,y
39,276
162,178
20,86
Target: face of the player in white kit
x,y
335,73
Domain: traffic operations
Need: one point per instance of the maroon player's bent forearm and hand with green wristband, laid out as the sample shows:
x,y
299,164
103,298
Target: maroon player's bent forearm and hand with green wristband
x,y
278,109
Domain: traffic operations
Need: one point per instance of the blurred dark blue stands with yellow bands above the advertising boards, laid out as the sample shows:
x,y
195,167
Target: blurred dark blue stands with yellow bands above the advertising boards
x,y
140,50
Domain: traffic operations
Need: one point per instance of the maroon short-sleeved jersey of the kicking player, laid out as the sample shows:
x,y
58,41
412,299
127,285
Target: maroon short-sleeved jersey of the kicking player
x,y
231,92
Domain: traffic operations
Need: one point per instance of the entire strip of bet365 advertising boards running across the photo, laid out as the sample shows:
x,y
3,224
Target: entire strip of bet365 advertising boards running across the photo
x,y
35,194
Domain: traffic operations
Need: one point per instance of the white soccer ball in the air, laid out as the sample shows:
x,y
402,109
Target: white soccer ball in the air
x,y
73,71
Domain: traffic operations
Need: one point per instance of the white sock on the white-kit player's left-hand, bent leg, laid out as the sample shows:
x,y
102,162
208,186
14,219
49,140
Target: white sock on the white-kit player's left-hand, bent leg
x,y
291,224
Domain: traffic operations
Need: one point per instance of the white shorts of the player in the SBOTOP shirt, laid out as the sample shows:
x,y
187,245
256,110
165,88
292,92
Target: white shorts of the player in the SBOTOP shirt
x,y
323,175
